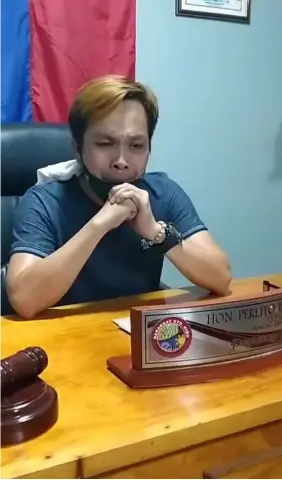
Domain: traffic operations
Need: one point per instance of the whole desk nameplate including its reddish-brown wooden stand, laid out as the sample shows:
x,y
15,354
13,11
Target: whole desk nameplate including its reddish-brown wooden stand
x,y
204,340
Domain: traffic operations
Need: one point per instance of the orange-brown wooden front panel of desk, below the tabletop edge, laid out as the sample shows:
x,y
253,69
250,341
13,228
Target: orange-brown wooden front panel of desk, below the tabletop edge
x,y
215,458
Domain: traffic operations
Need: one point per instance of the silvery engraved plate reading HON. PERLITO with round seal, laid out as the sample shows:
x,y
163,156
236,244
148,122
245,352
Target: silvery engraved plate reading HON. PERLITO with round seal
x,y
210,334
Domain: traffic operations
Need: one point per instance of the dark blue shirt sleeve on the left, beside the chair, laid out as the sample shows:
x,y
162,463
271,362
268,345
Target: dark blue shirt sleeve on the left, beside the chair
x,y
33,231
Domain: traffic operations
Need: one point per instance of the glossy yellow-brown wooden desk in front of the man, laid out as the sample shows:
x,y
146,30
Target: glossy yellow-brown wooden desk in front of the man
x,y
107,430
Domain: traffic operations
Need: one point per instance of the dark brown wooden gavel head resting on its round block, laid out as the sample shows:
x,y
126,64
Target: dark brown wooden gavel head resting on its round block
x,y
23,365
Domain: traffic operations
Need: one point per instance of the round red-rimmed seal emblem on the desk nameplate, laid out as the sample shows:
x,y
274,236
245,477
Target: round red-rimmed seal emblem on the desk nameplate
x,y
171,337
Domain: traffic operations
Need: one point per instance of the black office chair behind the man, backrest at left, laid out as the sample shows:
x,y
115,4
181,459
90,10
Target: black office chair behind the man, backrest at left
x,y
24,149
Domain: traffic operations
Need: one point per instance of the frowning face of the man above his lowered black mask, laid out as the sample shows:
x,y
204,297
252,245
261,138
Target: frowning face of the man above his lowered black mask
x,y
117,148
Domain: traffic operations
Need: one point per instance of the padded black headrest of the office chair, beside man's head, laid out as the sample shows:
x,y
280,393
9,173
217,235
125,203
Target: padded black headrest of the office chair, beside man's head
x,y
25,147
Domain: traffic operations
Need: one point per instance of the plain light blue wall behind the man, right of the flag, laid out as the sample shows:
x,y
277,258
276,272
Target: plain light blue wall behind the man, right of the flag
x,y
220,133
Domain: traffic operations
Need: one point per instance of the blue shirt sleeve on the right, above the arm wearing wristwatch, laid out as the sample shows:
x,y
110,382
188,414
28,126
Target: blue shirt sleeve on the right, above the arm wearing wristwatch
x,y
181,211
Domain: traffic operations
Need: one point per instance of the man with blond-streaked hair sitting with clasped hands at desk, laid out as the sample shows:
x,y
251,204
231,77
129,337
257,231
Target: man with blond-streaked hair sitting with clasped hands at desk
x,y
105,234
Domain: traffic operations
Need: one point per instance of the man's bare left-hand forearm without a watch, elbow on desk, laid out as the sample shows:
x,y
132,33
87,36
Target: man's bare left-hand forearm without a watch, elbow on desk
x,y
44,282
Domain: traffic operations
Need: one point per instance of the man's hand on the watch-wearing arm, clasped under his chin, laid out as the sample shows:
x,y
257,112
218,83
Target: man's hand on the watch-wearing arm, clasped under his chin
x,y
144,222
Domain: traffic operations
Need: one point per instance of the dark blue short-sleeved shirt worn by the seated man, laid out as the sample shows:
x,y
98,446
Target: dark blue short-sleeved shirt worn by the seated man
x,y
50,214
